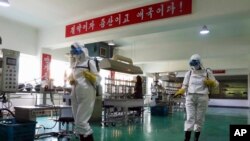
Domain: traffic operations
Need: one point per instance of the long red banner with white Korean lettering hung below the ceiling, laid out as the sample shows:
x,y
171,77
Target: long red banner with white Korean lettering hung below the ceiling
x,y
152,12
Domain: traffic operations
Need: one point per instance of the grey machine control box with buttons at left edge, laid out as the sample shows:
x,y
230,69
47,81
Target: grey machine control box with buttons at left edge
x,y
9,66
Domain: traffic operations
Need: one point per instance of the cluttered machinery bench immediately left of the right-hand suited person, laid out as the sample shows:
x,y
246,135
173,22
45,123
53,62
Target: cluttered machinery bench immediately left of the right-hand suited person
x,y
163,90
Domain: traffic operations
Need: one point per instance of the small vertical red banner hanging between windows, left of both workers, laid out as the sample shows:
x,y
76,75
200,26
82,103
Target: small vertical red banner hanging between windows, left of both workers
x,y
46,60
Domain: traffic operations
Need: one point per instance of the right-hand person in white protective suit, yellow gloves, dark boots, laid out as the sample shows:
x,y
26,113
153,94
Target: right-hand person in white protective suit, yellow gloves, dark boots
x,y
197,84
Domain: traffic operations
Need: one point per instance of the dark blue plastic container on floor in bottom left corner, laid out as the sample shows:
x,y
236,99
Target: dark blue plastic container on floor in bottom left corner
x,y
13,130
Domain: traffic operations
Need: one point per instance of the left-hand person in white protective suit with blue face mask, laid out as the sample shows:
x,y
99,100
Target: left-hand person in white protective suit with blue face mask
x,y
83,79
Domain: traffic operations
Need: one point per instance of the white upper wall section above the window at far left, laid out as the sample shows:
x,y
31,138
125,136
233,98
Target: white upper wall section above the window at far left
x,y
17,36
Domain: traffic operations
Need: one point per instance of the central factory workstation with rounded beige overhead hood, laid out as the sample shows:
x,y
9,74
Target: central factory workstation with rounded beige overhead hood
x,y
118,103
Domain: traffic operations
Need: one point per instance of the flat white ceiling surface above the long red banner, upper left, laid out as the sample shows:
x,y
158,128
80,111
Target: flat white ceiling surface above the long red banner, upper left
x,y
45,13
